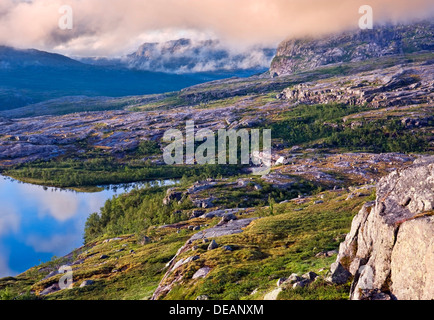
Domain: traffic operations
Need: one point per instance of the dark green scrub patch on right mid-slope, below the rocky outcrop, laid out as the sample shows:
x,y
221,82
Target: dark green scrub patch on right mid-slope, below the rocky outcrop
x,y
309,123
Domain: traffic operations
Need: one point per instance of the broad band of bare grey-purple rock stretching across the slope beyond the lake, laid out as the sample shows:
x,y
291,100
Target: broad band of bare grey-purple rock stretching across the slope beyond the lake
x,y
408,87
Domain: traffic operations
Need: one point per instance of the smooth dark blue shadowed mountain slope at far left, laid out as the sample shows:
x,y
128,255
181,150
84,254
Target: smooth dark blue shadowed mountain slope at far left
x,y
30,77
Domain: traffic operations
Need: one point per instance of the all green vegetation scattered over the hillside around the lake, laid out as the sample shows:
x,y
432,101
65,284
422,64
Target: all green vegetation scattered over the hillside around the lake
x,y
285,238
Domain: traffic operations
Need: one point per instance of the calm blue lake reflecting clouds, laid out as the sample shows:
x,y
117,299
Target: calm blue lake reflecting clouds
x,y
37,223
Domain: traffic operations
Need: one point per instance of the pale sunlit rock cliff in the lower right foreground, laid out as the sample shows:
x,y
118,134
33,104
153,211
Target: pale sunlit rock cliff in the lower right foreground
x,y
390,248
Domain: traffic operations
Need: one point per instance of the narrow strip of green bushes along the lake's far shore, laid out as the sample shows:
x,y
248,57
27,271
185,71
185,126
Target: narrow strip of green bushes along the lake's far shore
x,y
104,171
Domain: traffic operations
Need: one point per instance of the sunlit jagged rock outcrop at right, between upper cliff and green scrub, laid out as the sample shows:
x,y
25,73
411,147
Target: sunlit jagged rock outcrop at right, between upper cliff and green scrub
x,y
400,87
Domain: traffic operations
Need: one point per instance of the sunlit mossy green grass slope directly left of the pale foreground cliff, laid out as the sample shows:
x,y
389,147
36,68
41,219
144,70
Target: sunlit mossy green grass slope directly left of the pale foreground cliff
x,y
274,247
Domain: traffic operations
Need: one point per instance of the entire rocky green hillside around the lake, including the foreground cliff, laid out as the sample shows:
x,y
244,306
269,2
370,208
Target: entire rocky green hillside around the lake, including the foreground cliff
x,y
345,133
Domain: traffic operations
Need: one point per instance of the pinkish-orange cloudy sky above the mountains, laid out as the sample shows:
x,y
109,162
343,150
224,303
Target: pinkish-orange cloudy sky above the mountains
x,y
117,27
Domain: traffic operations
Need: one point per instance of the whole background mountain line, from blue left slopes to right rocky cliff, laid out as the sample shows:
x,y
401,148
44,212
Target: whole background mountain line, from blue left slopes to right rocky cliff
x,y
30,77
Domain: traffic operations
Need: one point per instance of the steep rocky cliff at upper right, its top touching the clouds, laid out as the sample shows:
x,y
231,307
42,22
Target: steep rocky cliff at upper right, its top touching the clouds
x,y
306,54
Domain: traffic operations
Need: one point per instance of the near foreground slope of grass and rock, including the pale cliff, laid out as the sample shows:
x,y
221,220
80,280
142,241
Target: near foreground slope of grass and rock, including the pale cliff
x,y
281,251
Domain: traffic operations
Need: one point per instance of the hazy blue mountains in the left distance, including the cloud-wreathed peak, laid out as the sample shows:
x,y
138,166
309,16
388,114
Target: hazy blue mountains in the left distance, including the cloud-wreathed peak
x,y
32,76
